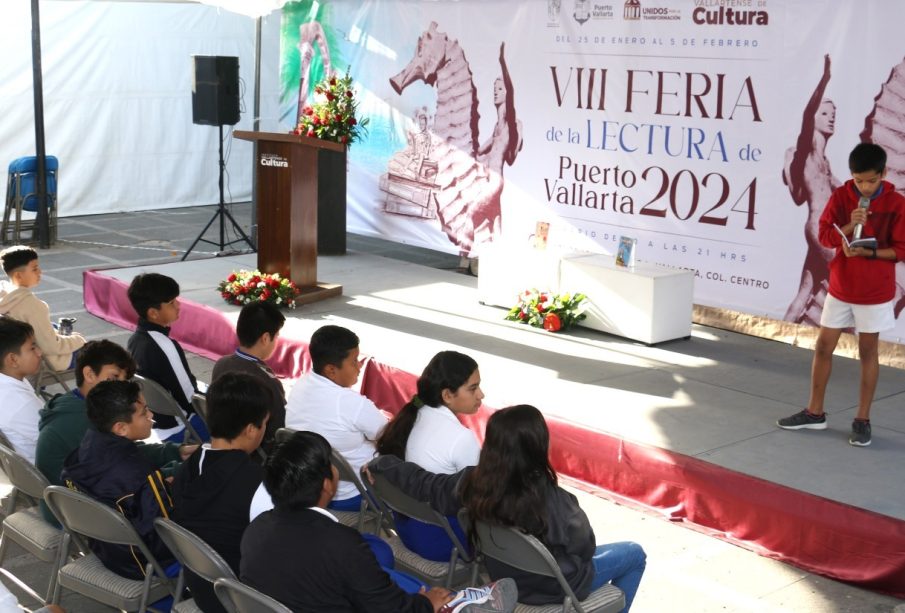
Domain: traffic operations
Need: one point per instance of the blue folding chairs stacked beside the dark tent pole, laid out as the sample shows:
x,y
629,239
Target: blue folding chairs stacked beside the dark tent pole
x,y
21,196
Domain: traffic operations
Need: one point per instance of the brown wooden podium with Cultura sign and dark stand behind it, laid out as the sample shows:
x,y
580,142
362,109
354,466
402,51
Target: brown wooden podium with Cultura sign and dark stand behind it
x,y
301,181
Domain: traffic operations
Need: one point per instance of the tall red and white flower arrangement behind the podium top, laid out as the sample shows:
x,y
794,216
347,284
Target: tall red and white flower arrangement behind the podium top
x,y
332,115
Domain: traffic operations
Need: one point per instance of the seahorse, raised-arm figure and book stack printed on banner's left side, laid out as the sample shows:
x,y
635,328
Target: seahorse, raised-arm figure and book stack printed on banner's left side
x,y
444,171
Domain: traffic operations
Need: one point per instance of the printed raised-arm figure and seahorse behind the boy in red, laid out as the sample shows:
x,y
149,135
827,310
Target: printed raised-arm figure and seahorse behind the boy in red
x,y
810,179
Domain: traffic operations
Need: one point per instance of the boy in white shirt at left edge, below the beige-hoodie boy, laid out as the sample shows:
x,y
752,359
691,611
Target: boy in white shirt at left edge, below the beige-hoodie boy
x,y
20,357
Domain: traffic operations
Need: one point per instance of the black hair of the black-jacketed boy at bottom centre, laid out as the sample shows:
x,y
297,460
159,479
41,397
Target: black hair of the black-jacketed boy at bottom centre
x,y
294,472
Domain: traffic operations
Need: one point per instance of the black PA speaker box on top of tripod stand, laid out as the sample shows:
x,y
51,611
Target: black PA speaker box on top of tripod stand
x,y
215,90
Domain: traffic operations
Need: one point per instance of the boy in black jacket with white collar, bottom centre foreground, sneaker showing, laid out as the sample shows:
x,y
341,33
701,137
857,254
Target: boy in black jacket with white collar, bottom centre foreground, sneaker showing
x,y
301,555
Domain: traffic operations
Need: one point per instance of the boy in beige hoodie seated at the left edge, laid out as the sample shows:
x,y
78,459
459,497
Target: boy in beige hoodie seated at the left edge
x,y
20,263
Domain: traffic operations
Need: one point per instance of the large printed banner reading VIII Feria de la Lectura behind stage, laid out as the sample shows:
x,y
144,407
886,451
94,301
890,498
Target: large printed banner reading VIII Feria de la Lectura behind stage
x,y
711,131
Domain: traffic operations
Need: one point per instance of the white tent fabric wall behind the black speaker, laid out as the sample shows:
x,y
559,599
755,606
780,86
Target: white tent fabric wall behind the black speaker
x,y
118,100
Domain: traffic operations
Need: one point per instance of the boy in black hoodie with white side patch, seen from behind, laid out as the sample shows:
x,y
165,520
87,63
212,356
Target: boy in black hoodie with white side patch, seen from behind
x,y
218,490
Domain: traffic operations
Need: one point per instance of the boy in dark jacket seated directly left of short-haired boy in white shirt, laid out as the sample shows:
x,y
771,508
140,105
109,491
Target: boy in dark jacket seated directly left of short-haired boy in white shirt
x,y
258,326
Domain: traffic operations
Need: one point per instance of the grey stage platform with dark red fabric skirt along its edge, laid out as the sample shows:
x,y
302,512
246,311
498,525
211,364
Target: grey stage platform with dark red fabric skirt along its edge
x,y
686,427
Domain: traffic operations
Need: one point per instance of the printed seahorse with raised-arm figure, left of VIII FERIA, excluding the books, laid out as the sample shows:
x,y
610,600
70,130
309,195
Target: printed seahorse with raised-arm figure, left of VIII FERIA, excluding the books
x,y
469,177
